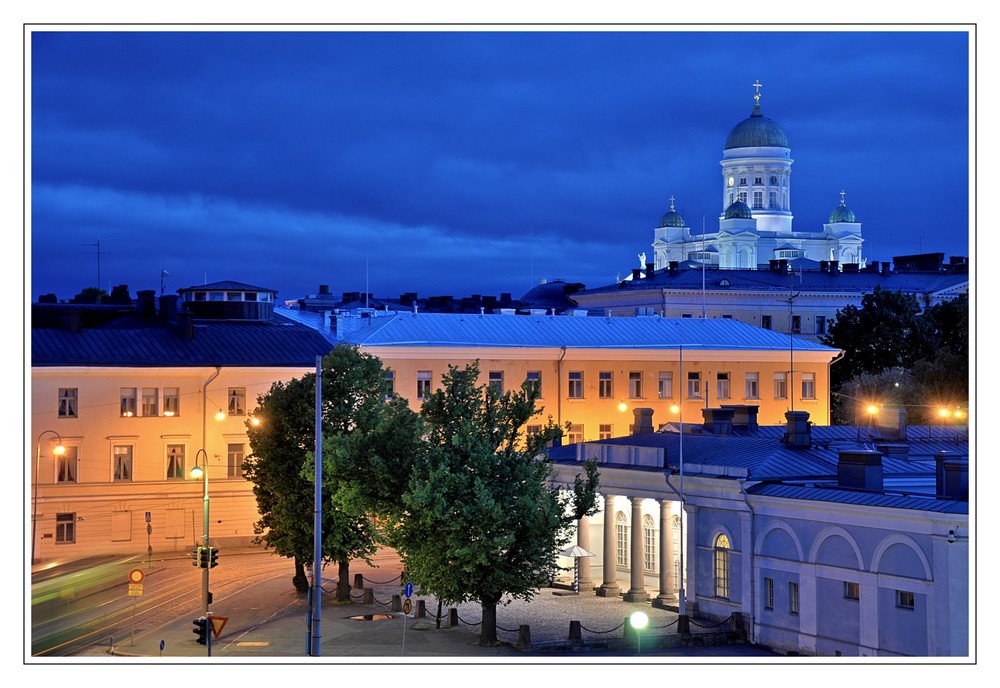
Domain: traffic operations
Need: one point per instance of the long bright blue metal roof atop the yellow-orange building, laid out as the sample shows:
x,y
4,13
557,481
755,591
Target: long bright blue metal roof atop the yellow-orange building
x,y
575,332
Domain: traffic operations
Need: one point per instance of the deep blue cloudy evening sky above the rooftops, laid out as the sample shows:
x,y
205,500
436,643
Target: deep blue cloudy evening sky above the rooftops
x,y
472,161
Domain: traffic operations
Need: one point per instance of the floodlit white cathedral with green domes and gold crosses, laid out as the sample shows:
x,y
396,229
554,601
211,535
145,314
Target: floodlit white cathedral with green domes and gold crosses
x,y
755,226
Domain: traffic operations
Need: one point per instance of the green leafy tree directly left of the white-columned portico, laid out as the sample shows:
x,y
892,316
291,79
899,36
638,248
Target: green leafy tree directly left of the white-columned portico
x,y
482,524
